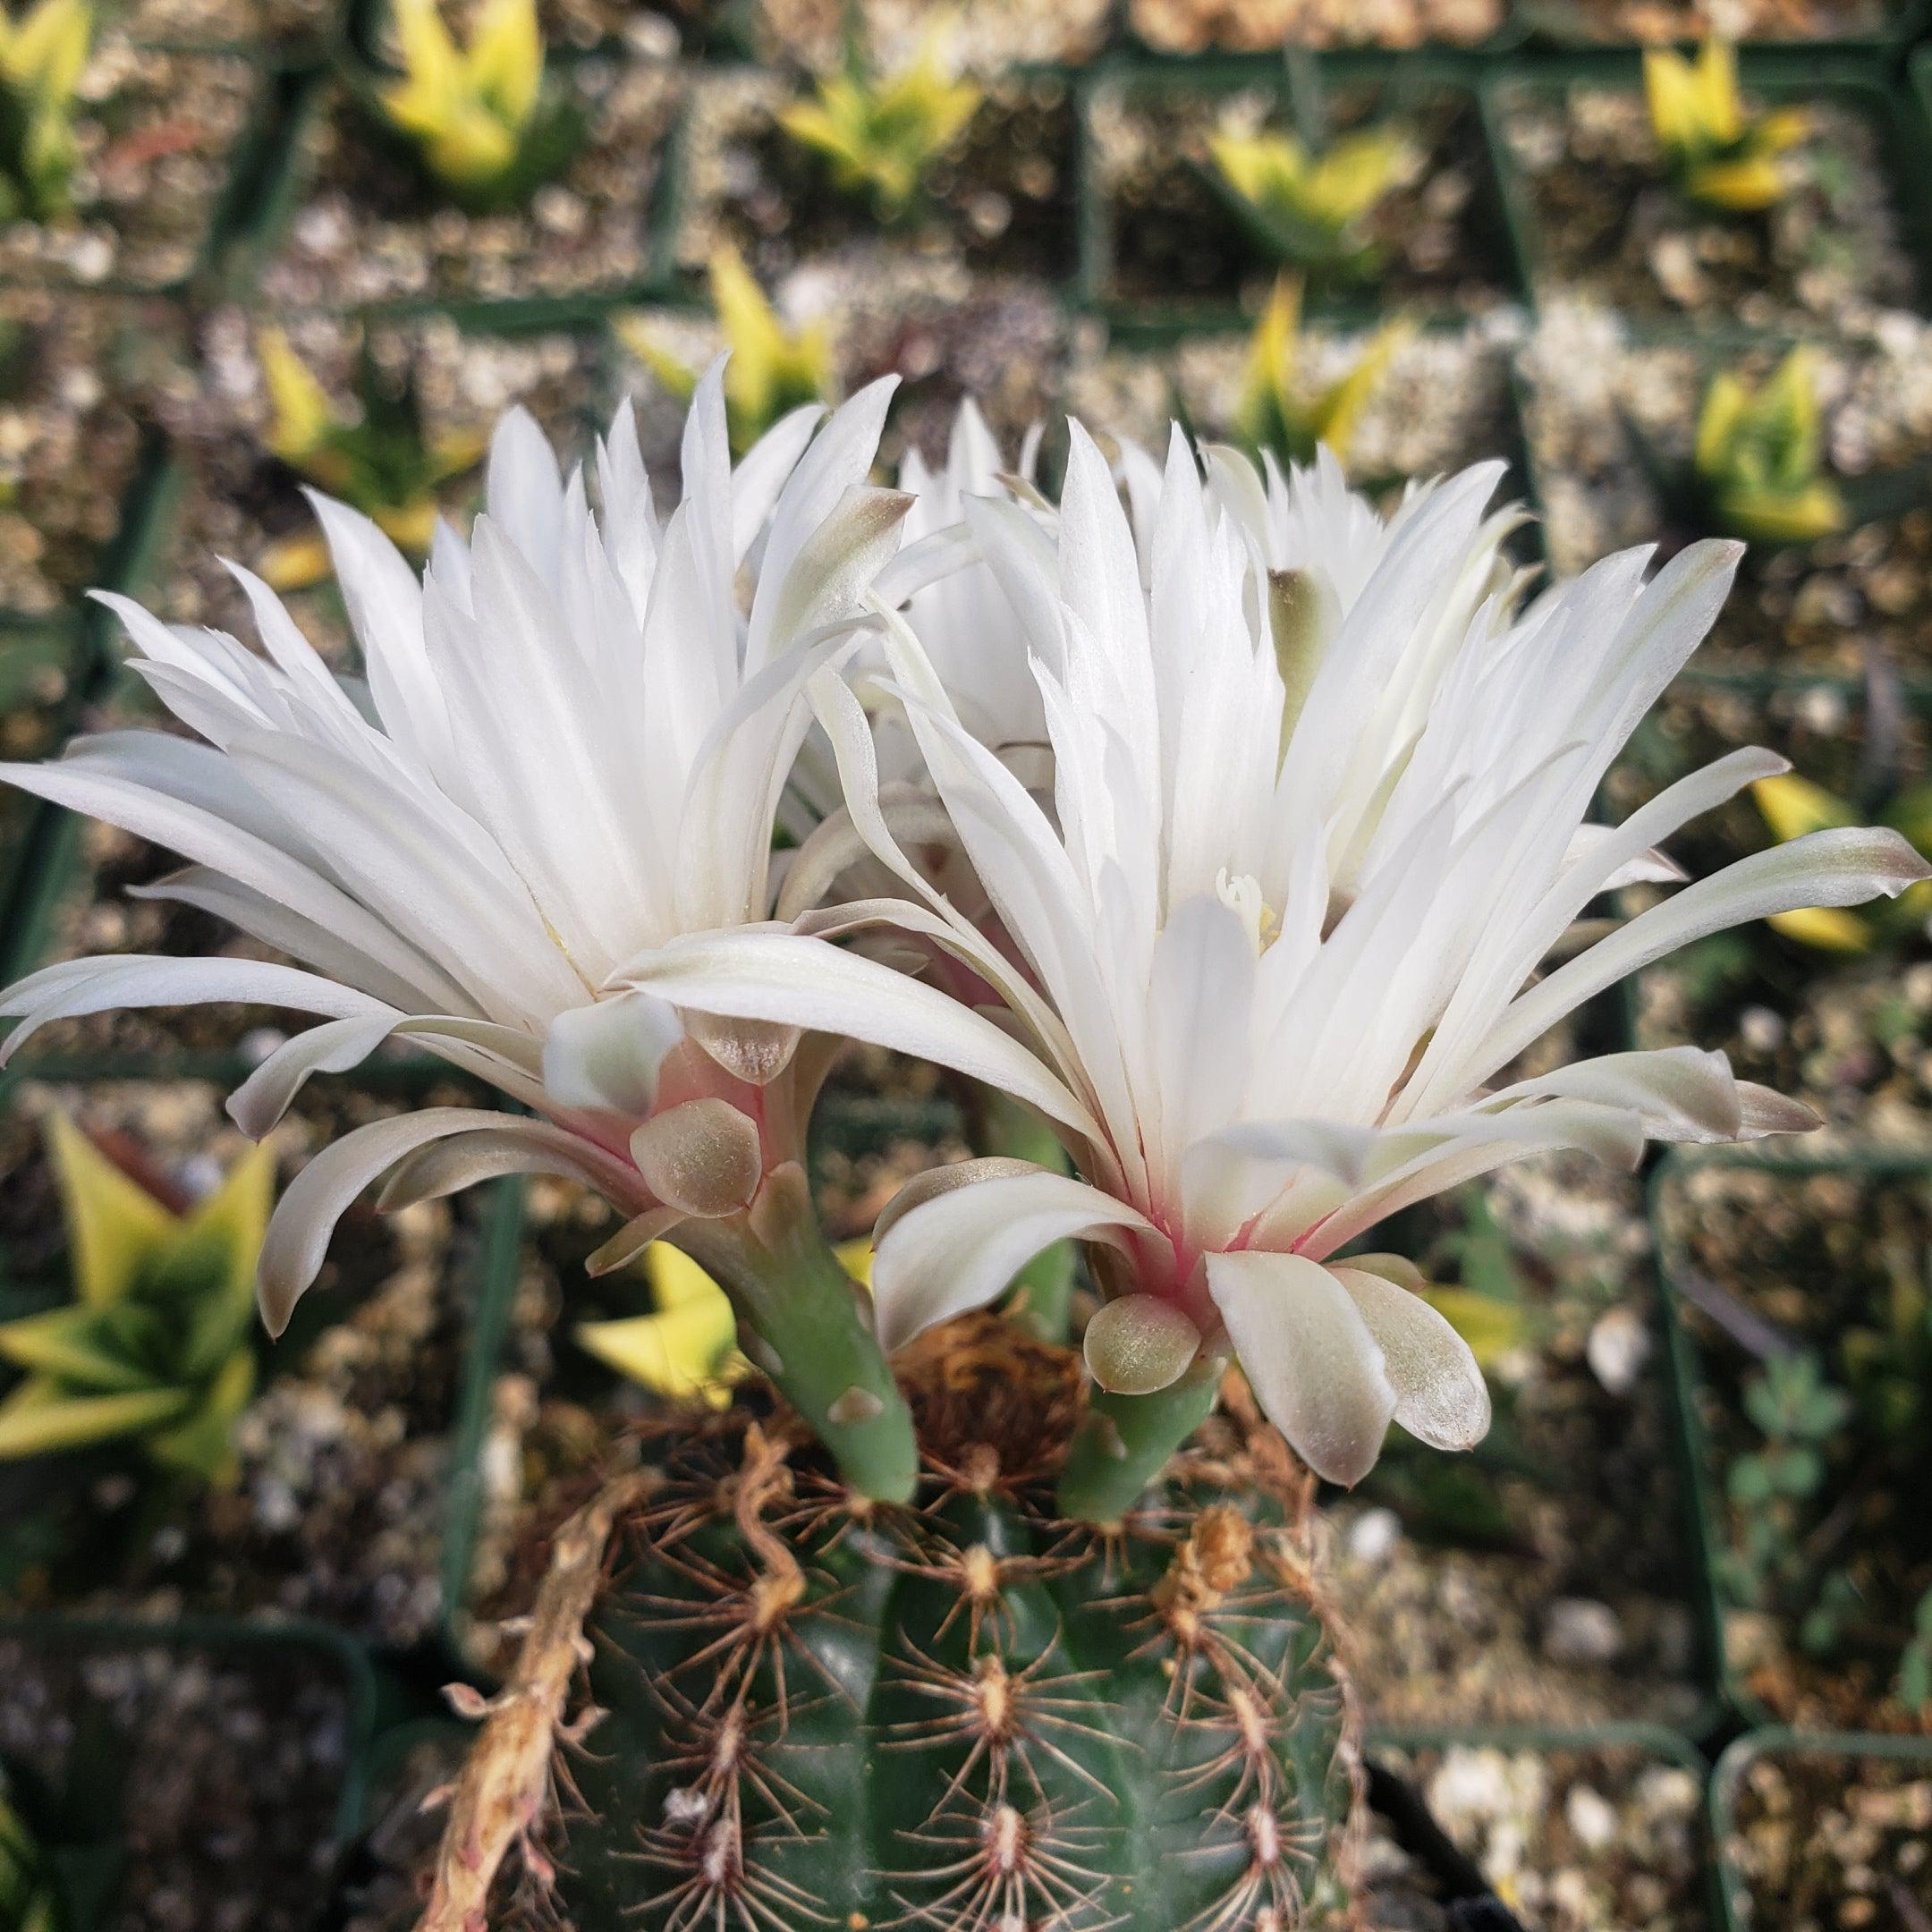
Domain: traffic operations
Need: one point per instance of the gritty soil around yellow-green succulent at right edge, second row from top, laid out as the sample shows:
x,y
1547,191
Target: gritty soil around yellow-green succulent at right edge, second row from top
x,y
1612,414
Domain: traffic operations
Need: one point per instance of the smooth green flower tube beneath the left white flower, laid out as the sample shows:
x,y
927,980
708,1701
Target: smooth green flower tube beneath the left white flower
x,y
810,1330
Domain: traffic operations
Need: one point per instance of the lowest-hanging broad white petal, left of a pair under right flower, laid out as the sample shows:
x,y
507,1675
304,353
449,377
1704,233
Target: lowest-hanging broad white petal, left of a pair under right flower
x,y
1309,1357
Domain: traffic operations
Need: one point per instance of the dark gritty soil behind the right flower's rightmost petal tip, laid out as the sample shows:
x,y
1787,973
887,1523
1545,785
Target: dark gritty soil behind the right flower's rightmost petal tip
x,y
1846,1033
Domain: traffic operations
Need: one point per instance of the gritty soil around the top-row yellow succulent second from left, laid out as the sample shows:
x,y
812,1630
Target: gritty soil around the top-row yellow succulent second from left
x,y
356,221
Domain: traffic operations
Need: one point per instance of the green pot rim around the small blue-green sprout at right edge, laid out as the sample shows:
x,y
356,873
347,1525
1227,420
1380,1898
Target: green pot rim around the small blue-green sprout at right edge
x,y
1684,1369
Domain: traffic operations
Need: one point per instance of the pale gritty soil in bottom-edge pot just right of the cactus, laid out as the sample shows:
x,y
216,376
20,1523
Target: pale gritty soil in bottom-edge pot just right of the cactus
x,y
1581,1840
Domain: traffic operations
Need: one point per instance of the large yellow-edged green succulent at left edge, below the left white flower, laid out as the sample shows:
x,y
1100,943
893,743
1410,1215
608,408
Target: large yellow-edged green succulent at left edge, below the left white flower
x,y
157,1344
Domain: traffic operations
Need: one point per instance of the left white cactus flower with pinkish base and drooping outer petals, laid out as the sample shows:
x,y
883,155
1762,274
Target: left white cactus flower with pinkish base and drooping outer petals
x,y
571,749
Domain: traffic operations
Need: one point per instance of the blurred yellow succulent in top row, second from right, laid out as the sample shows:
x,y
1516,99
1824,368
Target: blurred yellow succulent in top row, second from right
x,y
1309,208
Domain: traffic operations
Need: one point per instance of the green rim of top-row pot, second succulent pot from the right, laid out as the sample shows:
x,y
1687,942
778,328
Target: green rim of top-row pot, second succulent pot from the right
x,y
1303,86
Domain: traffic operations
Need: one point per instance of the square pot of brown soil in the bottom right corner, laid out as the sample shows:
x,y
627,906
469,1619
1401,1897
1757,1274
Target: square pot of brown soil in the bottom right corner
x,y
1823,1831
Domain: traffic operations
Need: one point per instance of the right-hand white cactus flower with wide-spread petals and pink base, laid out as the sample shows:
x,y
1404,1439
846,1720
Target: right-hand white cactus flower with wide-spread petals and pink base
x,y
1284,923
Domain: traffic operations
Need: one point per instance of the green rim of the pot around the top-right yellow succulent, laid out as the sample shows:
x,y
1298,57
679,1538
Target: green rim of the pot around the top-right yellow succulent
x,y
1782,76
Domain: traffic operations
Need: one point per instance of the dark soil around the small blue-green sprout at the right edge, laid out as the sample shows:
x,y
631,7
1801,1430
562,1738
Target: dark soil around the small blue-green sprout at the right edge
x,y
1823,1263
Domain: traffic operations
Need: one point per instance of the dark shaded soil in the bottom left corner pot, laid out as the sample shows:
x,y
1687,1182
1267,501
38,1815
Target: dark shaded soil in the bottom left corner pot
x,y
210,1780
